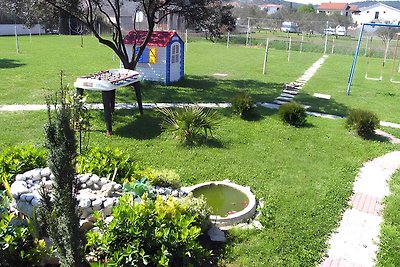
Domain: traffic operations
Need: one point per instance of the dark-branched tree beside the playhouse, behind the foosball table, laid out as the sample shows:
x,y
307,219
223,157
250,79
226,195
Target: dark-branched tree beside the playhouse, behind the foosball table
x,y
90,11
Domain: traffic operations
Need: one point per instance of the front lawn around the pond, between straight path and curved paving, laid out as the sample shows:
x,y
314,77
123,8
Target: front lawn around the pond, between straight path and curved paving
x,y
307,171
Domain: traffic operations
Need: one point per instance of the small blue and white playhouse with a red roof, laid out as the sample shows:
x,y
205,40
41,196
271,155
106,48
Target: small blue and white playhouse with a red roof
x,y
163,57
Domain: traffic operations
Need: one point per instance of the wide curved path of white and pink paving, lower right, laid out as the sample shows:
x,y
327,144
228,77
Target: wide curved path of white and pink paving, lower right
x,y
355,242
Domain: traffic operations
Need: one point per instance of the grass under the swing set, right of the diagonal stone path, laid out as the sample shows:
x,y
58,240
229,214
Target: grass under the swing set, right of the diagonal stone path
x,y
331,78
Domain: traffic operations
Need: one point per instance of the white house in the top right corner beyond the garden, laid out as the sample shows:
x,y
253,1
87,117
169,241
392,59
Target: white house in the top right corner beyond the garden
x,y
377,13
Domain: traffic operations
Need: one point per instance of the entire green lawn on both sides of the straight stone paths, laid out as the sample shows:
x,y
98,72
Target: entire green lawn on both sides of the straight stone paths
x,y
306,172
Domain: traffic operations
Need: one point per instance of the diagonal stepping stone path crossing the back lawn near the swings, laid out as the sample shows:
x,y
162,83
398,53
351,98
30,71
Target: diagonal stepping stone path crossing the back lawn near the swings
x,y
290,90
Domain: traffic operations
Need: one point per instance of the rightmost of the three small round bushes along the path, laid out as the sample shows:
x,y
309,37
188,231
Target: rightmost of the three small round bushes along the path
x,y
364,122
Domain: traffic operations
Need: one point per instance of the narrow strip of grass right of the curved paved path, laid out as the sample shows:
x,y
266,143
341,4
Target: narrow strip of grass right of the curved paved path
x,y
389,247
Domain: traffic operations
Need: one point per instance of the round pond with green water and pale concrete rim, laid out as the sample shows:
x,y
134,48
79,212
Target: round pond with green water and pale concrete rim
x,y
230,203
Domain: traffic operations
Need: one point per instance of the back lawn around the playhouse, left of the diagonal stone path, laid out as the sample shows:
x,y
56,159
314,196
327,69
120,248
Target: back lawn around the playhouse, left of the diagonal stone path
x,y
28,76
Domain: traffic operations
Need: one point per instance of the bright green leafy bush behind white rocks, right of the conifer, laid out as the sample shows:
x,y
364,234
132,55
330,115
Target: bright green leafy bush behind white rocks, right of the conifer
x,y
107,162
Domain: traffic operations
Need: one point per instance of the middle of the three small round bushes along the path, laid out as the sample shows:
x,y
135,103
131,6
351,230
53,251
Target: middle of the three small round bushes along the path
x,y
293,113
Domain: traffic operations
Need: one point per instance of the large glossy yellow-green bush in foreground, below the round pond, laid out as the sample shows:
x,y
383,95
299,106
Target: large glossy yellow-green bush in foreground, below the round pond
x,y
148,233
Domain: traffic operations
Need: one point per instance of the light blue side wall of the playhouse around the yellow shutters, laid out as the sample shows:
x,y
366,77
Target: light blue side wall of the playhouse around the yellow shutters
x,y
152,72
